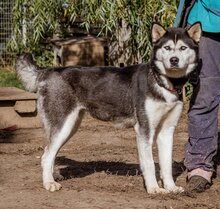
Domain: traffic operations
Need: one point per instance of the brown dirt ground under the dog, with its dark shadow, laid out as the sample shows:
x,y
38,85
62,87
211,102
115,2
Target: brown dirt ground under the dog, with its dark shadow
x,y
100,167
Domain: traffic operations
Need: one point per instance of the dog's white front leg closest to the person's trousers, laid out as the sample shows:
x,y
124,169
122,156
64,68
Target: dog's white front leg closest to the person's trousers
x,y
165,147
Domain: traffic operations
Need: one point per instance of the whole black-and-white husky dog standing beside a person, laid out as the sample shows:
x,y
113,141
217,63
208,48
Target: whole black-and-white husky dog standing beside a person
x,y
144,93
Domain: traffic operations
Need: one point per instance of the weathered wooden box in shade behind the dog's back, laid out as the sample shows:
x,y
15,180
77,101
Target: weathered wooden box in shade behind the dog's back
x,y
85,51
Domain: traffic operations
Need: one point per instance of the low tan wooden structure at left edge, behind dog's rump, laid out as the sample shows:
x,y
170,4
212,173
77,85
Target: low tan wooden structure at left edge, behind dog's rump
x,y
18,109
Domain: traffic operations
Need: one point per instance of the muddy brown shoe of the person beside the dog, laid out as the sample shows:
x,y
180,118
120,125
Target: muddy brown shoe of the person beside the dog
x,y
197,184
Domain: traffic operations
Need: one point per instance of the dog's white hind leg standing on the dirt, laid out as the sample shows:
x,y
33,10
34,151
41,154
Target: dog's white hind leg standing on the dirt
x,y
58,138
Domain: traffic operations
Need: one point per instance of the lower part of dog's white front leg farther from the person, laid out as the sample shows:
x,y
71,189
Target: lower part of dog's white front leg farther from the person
x,y
144,143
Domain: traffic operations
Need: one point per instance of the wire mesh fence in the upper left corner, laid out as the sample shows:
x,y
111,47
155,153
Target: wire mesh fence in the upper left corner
x,y
6,6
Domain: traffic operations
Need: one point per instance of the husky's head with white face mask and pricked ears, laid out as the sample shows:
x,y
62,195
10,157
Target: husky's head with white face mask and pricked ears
x,y
175,50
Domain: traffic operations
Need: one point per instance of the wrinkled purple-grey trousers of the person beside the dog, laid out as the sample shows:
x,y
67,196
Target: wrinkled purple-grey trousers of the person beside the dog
x,y
203,112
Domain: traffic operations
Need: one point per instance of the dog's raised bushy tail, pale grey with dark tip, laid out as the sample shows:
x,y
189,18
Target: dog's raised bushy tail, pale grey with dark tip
x,y
27,72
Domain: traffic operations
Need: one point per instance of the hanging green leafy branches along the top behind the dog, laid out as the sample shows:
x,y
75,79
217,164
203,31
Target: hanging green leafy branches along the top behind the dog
x,y
36,20
